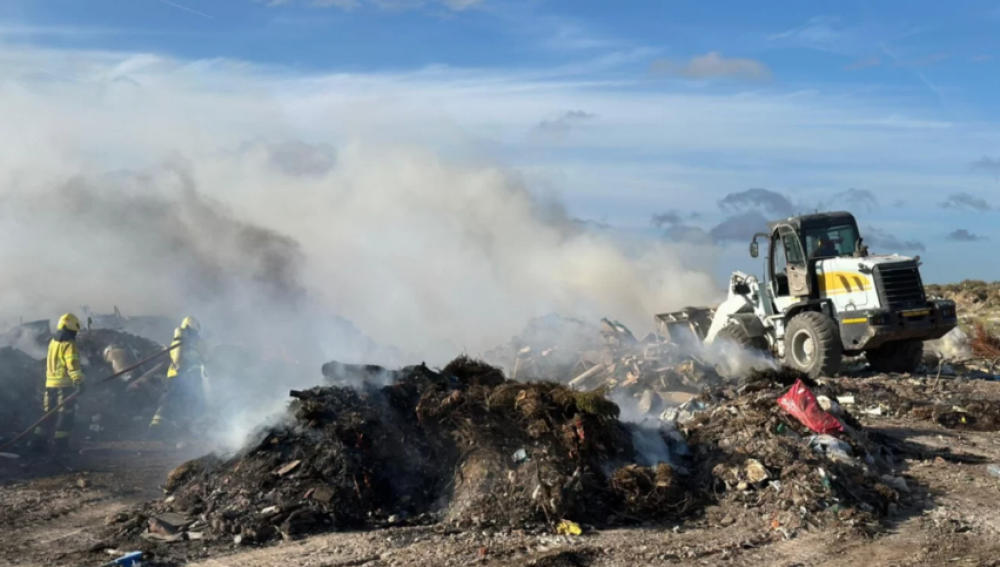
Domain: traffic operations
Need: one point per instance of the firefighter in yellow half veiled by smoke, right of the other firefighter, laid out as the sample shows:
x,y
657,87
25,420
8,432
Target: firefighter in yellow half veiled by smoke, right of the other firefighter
x,y
184,377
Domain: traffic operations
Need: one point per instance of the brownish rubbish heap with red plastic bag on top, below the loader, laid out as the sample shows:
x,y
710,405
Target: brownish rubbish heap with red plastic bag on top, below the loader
x,y
776,457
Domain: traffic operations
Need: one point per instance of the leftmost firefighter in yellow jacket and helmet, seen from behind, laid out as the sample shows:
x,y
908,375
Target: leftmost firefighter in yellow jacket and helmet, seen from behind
x,y
63,377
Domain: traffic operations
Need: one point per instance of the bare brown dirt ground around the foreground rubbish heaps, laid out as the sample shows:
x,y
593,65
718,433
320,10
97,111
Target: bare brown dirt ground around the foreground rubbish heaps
x,y
53,509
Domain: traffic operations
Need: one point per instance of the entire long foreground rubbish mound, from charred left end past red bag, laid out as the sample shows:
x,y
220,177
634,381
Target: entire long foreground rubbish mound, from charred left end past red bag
x,y
467,447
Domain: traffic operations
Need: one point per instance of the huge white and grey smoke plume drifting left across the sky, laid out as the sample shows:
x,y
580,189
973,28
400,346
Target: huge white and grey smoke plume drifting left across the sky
x,y
176,189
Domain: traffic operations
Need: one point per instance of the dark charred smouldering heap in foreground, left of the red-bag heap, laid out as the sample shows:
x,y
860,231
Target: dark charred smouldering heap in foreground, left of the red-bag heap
x,y
462,445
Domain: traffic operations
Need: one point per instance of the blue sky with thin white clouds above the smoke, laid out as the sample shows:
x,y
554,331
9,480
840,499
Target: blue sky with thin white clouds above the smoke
x,y
624,110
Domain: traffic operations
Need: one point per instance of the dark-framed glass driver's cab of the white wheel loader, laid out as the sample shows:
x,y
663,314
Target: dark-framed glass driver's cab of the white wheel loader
x,y
797,243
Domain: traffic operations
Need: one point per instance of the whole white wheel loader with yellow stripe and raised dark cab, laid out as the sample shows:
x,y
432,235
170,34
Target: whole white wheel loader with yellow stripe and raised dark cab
x,y
823,297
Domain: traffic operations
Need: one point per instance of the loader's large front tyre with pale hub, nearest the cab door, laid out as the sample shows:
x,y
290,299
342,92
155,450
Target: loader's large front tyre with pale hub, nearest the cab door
x,y
812,344
